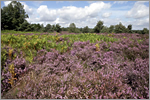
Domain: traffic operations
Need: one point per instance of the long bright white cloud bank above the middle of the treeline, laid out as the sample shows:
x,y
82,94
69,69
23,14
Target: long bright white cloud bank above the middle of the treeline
x,y
69,14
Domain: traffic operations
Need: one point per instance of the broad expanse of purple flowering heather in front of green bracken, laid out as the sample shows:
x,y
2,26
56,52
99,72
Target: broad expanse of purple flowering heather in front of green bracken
x,y
84,73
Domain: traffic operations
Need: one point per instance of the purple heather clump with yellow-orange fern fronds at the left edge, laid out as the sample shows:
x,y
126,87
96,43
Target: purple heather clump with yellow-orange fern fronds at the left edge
x,y
16,71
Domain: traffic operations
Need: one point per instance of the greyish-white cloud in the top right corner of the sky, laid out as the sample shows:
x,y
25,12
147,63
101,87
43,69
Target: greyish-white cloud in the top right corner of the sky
x,y
139,10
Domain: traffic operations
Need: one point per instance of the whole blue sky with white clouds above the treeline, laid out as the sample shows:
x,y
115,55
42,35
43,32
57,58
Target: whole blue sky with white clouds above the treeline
x,y
87,13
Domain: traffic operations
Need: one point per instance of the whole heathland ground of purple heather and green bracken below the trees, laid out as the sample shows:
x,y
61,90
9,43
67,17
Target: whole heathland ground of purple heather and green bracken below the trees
x,y
87,65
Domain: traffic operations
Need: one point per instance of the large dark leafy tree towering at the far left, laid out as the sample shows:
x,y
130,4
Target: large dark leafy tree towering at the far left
x,y
13,15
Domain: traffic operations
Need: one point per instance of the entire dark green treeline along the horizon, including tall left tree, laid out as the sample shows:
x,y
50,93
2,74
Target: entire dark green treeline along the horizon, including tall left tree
x,y
13,17
